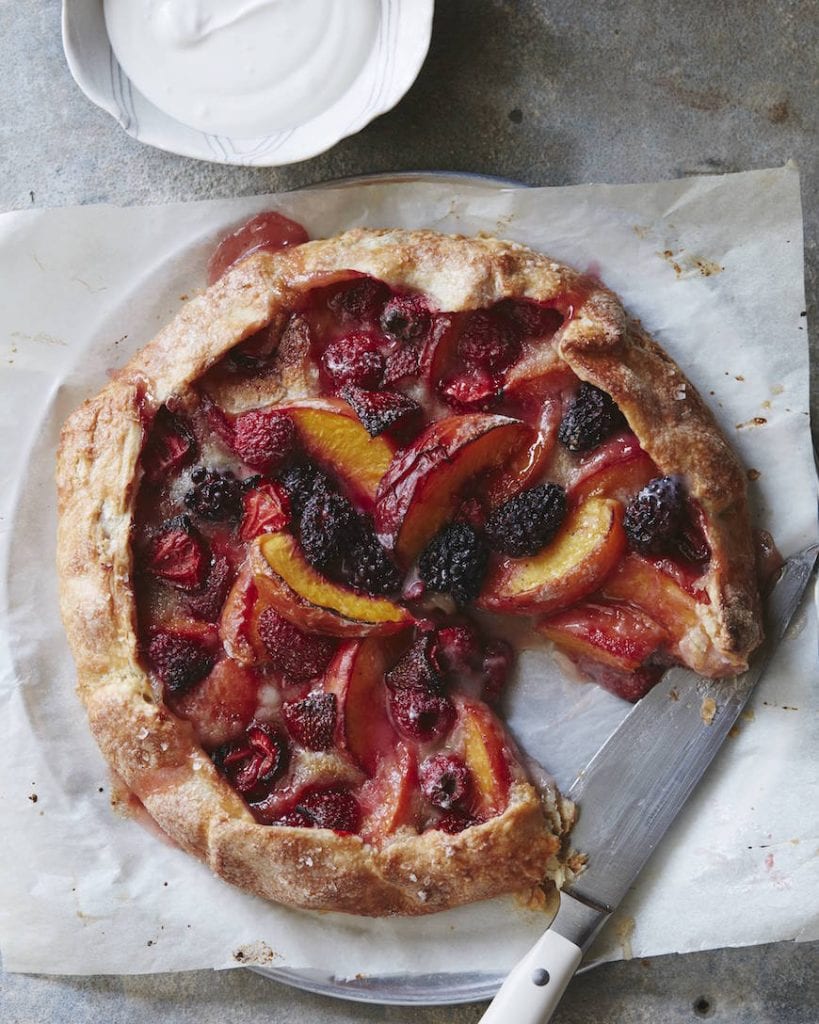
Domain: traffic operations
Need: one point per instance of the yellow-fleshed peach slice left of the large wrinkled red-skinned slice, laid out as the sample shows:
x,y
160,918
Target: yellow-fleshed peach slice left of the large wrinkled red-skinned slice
x,y
333,436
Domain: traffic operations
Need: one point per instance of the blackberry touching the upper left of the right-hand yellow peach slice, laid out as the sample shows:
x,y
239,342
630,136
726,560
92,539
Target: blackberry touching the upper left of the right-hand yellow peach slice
x,y
528,523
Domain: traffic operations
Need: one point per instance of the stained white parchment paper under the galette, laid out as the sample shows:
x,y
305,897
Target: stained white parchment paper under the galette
x,y
714,267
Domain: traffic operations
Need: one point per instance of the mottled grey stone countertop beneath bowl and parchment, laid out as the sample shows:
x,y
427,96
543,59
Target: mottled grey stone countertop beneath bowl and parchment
x,y
545,94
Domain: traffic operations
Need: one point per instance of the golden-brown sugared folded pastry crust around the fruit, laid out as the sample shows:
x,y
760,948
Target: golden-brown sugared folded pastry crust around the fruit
x,y
99,476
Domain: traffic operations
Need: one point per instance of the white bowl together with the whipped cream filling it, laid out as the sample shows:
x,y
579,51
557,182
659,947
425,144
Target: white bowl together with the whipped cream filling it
x,y
257,82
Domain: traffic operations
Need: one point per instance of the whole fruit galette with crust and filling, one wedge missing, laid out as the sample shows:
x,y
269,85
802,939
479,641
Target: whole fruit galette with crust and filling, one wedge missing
x,y
294,531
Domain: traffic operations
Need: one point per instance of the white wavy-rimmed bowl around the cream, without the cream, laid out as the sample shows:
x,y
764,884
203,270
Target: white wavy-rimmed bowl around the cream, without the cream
x,y
394,64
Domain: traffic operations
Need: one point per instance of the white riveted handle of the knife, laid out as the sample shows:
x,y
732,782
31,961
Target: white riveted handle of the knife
x,y
533,991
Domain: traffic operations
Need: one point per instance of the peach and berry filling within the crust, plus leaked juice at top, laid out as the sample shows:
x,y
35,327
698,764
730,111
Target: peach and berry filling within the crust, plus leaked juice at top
x,y
269,574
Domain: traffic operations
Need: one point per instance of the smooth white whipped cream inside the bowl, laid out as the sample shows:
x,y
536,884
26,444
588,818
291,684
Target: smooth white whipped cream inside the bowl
x,y
243,68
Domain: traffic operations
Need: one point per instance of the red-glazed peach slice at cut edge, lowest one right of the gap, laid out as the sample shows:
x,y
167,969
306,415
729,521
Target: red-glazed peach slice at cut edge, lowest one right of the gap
x,y
617,635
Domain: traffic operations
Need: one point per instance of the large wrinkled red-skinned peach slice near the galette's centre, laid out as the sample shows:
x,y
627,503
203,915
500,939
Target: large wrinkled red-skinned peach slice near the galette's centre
x,y
425,483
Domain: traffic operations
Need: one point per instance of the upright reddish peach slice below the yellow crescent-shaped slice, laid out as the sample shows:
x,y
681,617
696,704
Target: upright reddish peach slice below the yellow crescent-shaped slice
x,y
357,677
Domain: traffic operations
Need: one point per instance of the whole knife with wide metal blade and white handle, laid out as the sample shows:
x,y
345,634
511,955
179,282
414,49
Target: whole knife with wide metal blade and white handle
x,y
629,794
